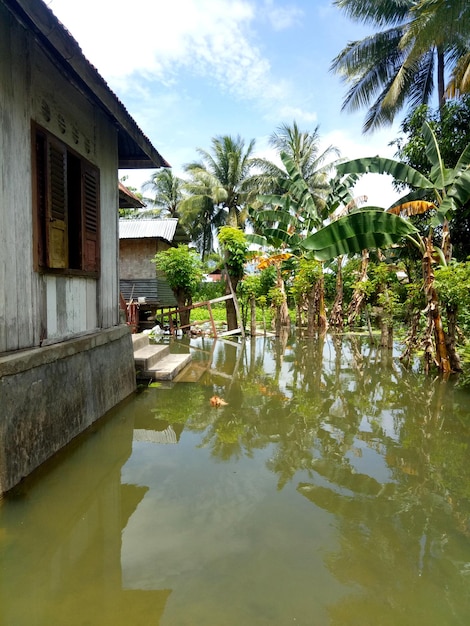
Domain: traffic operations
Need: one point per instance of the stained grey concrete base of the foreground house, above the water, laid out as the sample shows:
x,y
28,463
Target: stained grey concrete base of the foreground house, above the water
x,y
50,395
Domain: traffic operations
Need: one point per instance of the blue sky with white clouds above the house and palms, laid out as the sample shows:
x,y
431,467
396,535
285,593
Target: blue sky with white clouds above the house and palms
x,y
191,70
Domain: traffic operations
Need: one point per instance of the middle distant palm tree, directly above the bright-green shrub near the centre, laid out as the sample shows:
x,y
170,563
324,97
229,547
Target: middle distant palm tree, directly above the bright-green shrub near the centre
x,y
226,170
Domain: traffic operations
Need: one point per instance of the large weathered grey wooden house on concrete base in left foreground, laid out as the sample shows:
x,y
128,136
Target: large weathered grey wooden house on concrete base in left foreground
x,y
65,358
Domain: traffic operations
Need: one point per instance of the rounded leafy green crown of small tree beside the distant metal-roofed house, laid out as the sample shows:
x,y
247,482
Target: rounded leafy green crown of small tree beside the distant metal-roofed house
x,y
182,268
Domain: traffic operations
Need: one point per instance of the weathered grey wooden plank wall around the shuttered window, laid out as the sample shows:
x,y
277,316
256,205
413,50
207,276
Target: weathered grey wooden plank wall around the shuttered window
x,y
34,307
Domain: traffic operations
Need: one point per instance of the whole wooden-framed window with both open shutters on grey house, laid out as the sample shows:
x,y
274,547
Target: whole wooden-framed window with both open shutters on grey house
x,y
67,207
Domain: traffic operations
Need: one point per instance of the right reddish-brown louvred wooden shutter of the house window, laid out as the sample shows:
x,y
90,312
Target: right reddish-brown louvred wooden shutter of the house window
x,y
91,218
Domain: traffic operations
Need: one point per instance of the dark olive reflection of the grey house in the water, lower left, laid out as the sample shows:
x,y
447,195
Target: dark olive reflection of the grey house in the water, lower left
x,y
66,557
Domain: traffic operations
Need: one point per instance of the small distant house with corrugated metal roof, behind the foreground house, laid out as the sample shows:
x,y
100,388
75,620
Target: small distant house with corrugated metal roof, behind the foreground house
x,y
139,241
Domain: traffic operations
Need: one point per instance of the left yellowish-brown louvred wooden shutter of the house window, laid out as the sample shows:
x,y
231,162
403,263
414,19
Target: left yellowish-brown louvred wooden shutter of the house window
x,y
56,206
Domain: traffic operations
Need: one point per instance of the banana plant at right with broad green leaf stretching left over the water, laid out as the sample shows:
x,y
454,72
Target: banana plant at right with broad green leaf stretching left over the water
x,y
376,228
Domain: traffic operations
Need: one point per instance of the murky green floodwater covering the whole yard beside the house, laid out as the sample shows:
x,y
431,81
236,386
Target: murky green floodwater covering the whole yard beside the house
x,y
332,489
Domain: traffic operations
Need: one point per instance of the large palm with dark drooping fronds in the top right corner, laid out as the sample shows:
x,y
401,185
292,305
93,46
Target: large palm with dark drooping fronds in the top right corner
x,y
395,67
